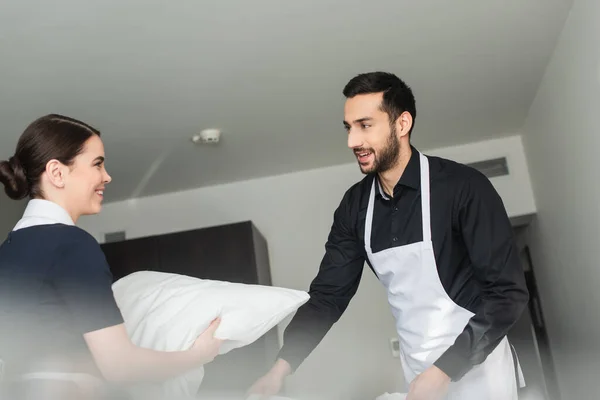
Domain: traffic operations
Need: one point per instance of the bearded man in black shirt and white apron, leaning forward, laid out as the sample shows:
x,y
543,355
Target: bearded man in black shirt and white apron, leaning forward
x,y
437,236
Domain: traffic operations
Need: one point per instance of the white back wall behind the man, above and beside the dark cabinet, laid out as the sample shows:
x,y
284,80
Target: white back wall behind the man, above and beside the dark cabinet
x,y
296,225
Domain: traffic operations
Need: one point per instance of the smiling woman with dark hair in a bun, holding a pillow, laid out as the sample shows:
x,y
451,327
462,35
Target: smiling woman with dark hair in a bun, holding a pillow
x,y
57,310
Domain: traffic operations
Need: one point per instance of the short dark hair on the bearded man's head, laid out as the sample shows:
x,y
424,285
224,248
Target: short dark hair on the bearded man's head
x,y
397,95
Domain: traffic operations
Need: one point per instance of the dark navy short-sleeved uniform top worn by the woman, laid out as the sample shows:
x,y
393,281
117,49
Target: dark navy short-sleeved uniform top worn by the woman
x,y
55,285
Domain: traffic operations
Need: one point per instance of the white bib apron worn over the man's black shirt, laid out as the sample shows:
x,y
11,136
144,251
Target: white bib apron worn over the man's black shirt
x,y
427,320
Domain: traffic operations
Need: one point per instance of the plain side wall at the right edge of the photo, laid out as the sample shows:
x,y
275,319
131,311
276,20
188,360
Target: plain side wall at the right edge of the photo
x,y
561,138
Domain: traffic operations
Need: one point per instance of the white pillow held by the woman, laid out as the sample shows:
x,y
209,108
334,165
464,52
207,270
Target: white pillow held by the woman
x,y
167,312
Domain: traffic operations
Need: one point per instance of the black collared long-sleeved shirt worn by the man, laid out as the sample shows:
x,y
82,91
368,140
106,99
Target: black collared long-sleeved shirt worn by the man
x,y
474,247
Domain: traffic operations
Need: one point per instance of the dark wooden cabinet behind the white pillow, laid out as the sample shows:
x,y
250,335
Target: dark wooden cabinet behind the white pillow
x,y
234,253
